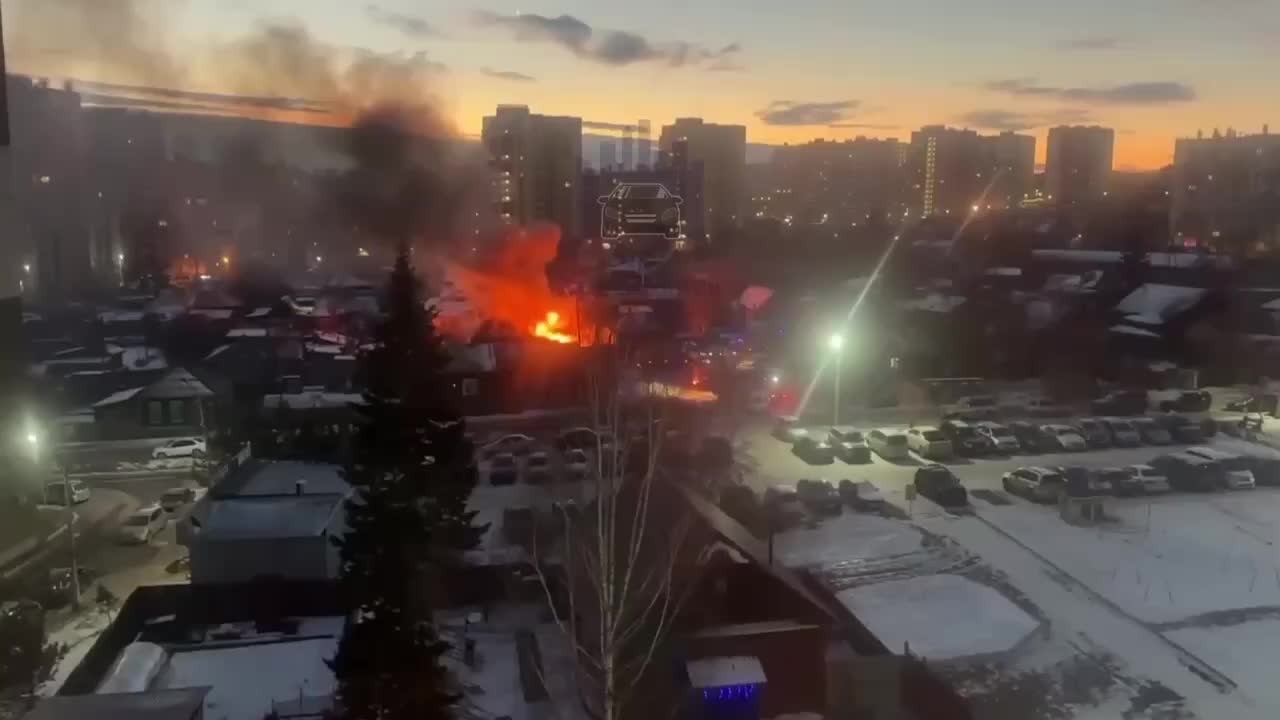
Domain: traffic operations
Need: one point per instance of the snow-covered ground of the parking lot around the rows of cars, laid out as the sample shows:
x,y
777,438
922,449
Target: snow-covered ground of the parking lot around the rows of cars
x,y
1168,609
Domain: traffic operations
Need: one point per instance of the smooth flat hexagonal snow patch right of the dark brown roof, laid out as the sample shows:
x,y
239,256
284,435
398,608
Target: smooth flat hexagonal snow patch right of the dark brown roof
x,y
940,617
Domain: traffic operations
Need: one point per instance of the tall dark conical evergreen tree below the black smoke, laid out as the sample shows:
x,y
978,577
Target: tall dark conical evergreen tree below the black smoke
x,y
413,472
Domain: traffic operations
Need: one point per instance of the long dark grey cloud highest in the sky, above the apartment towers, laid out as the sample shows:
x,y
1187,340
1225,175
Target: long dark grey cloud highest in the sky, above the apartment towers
x,y
606,47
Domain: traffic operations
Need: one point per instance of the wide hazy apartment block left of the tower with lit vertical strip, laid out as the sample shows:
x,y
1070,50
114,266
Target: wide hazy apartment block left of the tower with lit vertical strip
x,y
838,183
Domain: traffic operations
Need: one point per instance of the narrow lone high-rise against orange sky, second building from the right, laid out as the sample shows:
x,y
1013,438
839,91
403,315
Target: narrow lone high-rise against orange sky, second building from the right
x,y
1078,165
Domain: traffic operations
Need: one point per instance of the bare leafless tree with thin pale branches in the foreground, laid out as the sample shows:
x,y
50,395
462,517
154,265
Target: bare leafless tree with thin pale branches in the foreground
x,y
612,573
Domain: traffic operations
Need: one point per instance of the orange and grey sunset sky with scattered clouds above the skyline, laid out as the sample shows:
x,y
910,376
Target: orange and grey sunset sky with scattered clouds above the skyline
x,y
790,72
